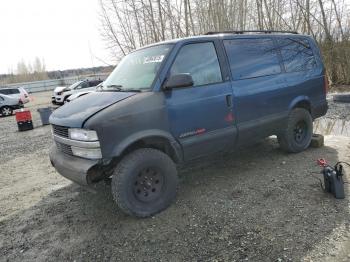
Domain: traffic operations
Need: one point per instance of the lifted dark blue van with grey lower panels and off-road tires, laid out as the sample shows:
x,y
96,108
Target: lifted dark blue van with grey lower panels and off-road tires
x,y
179,100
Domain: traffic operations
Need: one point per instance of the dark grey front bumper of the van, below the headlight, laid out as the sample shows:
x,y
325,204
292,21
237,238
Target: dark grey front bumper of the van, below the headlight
x,y
74,168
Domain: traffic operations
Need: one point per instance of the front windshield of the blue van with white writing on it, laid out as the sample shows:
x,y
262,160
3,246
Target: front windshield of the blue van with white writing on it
x,y
137,70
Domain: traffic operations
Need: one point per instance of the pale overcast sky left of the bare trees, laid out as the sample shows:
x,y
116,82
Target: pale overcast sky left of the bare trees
x,y
60,32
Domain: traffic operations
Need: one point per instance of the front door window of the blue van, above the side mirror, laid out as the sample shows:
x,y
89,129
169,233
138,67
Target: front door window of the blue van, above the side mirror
x,y
200,61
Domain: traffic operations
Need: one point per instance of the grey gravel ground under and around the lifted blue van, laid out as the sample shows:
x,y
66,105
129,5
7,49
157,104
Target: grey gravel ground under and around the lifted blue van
x,y
257,205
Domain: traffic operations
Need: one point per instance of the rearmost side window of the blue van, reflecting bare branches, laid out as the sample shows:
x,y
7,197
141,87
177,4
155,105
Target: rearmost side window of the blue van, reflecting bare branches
x,y
297,54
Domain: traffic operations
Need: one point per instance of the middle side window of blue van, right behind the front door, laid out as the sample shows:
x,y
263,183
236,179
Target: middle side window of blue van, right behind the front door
x,y
252,57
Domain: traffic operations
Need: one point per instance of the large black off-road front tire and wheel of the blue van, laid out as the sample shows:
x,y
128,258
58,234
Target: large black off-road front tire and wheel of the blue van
x,y
126,182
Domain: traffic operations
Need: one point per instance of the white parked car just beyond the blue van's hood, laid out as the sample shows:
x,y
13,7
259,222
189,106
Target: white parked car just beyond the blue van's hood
x,y
61,94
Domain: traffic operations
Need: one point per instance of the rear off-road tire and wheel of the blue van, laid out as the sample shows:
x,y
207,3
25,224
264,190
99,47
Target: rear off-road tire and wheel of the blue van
x,y
291,139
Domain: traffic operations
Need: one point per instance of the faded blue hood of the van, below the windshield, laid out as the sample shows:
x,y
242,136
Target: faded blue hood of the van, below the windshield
x,y
75,113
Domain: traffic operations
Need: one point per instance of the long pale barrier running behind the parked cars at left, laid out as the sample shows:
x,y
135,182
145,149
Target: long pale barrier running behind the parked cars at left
x,y
47,85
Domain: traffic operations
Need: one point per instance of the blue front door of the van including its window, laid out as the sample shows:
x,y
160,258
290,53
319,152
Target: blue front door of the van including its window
x,y
201,116
